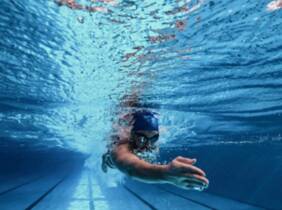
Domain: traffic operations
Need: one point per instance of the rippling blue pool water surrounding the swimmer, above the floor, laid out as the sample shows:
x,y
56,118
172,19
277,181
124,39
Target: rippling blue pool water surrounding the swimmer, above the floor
x,y
212,70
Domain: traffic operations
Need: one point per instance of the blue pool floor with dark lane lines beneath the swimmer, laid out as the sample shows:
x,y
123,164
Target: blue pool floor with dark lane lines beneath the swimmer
x,y
82,190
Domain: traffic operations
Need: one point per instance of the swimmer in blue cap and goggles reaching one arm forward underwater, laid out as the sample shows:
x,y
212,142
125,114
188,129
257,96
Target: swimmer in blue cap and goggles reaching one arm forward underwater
x,y
140,132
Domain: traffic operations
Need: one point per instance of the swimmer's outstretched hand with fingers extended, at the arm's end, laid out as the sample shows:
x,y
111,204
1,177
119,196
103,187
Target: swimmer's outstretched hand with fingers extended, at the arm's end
x,y
182,173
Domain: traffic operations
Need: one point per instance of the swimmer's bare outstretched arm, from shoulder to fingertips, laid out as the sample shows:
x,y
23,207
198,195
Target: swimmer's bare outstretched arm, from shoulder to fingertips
x,y
180,172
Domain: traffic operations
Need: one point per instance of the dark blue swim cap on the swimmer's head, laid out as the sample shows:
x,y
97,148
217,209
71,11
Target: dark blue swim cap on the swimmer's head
x,y
145,120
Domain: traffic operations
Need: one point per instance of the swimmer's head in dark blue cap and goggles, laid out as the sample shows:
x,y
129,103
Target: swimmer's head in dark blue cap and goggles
x,y
145,130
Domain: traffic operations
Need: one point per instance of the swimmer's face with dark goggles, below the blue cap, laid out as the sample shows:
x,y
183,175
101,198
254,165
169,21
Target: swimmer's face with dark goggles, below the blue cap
x,y
145,139
